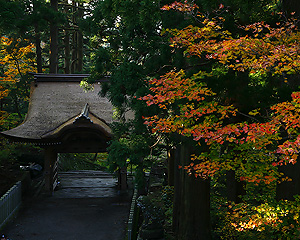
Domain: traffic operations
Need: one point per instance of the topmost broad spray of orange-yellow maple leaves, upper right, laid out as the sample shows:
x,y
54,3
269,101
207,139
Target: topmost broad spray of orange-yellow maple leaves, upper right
x,y
262,47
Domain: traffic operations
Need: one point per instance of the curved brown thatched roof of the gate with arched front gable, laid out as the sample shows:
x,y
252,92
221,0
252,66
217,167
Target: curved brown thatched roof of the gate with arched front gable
x,y
57,104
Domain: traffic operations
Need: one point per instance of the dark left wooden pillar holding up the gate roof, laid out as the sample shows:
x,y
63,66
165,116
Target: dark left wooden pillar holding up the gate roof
x,y
50,169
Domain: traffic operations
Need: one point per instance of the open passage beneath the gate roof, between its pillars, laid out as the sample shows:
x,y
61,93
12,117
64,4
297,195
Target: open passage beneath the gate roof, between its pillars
x,y
81,176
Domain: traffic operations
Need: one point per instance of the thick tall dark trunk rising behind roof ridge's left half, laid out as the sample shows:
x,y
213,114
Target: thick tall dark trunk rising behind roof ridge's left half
x,y
53,68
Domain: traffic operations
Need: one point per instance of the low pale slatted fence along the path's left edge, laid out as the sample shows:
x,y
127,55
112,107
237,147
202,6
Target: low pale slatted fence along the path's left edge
x,y
10,203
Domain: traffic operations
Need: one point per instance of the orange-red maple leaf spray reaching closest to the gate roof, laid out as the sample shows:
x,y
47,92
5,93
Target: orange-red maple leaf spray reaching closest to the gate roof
x,y
195,111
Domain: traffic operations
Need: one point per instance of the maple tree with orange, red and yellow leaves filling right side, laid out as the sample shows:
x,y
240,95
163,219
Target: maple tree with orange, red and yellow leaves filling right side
x,y
253,144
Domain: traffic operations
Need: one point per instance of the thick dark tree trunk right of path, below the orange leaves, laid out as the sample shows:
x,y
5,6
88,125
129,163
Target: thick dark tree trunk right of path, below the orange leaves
x,y
191,219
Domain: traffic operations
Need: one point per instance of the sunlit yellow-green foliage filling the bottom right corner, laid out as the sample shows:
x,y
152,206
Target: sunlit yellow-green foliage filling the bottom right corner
x,y
258,216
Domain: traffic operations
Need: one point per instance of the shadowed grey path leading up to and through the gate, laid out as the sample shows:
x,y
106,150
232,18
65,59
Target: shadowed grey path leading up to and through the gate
x,y
86,206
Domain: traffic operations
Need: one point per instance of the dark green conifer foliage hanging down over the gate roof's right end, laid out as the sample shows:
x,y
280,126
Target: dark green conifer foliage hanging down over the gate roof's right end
x,y
126,37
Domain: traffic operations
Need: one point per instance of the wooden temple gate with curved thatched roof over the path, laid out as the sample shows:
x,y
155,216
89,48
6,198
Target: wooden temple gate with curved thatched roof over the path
x,y
63,118
